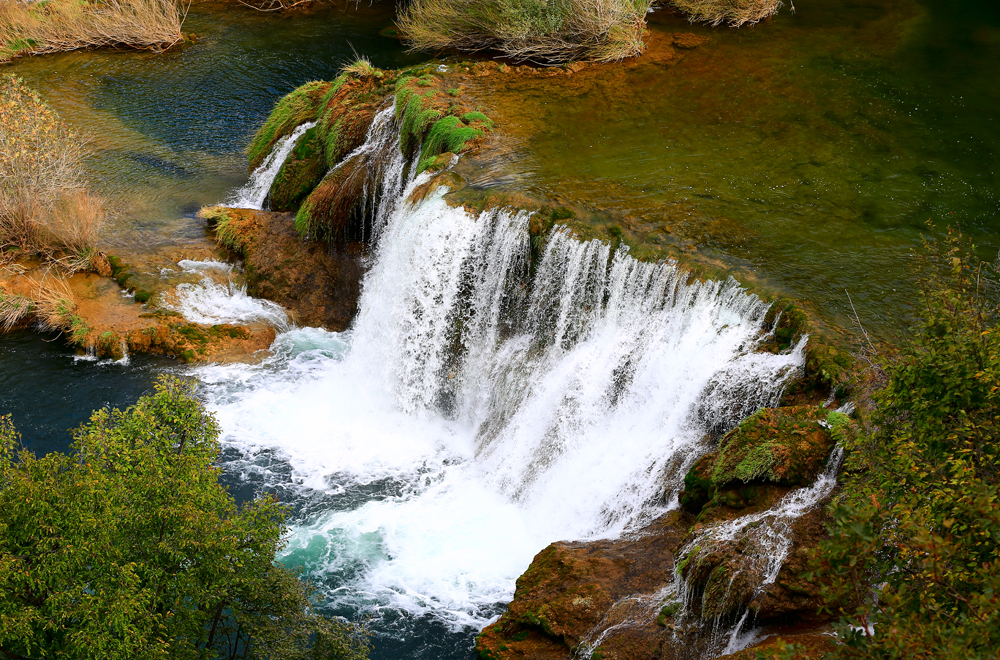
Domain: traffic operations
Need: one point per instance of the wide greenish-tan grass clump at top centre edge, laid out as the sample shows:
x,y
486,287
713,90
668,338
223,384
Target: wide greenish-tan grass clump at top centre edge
x,y
543,30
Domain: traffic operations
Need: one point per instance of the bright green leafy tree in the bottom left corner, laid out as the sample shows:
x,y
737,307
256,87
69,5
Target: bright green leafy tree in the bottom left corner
x,y
130,548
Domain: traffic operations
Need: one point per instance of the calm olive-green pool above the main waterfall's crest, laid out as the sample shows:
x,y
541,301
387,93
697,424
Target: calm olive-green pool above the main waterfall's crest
x,y
809,150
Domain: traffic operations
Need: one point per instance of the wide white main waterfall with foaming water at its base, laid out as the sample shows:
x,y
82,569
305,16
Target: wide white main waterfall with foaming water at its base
x,y
474,414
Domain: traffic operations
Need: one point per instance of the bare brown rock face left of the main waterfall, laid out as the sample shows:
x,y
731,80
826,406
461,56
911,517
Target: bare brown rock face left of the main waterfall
x,y
316,286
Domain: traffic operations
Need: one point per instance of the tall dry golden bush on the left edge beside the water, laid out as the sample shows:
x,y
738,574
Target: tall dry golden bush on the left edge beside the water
x,y
45,208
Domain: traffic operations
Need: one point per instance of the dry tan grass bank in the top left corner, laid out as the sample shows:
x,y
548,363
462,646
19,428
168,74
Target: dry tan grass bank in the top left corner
x,y
33,28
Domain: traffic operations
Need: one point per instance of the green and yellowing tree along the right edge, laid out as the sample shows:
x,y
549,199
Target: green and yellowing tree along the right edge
x,y
913,563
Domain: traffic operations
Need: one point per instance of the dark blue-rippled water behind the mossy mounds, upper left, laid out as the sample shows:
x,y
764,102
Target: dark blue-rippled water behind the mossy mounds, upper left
x,y
170,128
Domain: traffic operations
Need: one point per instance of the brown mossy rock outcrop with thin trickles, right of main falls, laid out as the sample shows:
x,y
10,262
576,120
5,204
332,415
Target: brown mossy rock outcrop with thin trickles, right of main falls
x,y
664,591
